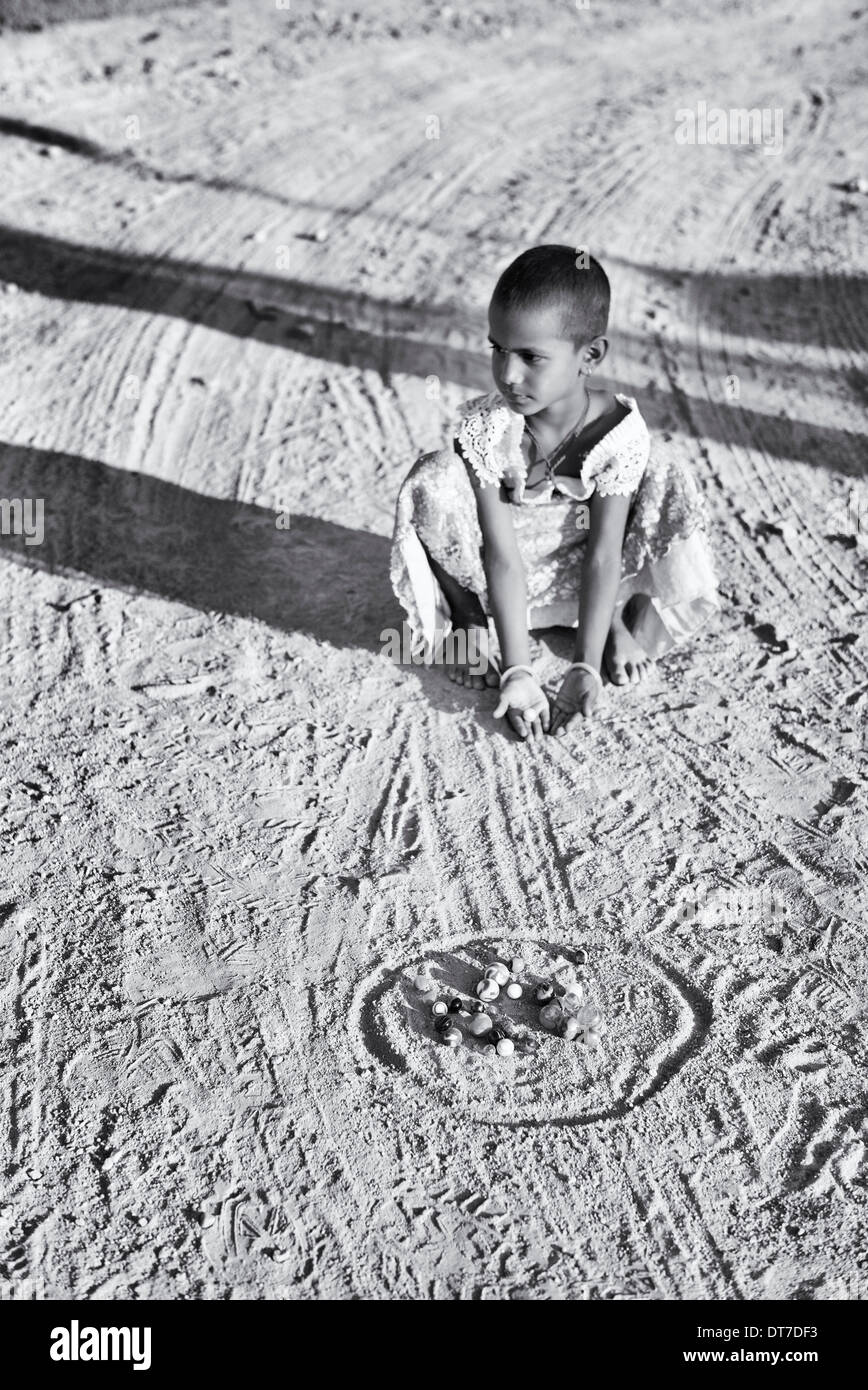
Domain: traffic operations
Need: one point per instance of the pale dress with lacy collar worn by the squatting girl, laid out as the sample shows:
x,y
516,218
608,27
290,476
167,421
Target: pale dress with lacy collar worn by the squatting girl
x,y
666,557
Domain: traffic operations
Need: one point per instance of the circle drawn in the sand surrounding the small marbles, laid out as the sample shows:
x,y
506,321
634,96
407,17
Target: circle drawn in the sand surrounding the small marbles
x,y
654,1022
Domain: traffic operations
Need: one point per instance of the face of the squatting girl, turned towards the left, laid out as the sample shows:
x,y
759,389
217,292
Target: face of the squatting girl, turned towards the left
x,y
532,365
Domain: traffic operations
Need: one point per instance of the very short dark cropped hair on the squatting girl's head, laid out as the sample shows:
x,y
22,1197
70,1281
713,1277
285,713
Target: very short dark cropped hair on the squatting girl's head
x,y
567,277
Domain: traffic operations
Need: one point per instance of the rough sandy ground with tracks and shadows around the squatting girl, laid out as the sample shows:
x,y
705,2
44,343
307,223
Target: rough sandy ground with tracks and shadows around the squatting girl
x,y
234,831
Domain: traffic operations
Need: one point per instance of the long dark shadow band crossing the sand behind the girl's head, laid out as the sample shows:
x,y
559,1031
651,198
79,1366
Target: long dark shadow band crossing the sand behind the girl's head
x,y
446,341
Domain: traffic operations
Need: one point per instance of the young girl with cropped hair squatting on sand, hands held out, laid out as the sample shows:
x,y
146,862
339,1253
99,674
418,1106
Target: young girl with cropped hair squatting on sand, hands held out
x,y
550,509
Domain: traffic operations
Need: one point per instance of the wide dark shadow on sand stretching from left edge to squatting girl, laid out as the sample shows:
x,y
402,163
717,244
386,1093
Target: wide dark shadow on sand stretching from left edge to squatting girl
x,y
141,534
